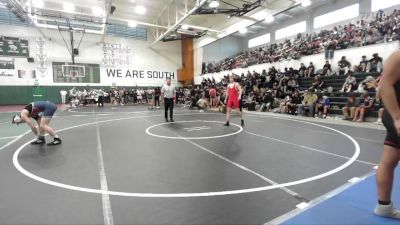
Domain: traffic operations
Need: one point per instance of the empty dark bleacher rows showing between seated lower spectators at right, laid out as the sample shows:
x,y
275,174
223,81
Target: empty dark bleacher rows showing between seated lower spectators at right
x,y
337,98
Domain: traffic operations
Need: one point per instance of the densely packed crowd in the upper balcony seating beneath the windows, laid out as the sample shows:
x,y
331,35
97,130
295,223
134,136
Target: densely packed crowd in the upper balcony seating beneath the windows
x,y
383,28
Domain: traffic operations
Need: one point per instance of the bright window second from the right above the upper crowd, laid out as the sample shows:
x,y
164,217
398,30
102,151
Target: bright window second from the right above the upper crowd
x,y
343,14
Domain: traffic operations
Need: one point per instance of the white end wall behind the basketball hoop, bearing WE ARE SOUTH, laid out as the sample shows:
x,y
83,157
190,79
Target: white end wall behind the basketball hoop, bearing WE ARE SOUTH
x,y
150,64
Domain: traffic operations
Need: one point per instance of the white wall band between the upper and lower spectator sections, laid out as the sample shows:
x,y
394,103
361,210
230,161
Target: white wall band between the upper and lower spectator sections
x,y
352,54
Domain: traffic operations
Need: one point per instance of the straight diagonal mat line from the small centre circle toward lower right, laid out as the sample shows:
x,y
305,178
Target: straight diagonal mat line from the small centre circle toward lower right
x,y
269,181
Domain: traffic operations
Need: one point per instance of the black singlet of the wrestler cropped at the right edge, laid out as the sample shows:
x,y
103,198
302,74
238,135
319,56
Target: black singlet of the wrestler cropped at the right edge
x,y
392,139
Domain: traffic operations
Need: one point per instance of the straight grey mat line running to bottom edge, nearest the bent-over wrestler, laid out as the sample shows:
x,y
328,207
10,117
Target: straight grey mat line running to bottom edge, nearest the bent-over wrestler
x,y
107,212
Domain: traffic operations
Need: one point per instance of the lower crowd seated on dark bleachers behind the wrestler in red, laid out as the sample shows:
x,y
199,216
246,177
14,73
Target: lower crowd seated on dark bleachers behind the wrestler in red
x,y
279,91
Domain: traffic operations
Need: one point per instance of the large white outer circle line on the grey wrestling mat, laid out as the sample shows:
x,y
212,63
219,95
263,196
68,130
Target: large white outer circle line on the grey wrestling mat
x,y
184,195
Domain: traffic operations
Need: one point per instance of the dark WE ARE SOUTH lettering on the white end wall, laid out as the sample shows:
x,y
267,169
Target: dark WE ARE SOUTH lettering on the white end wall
x,y
136,77
